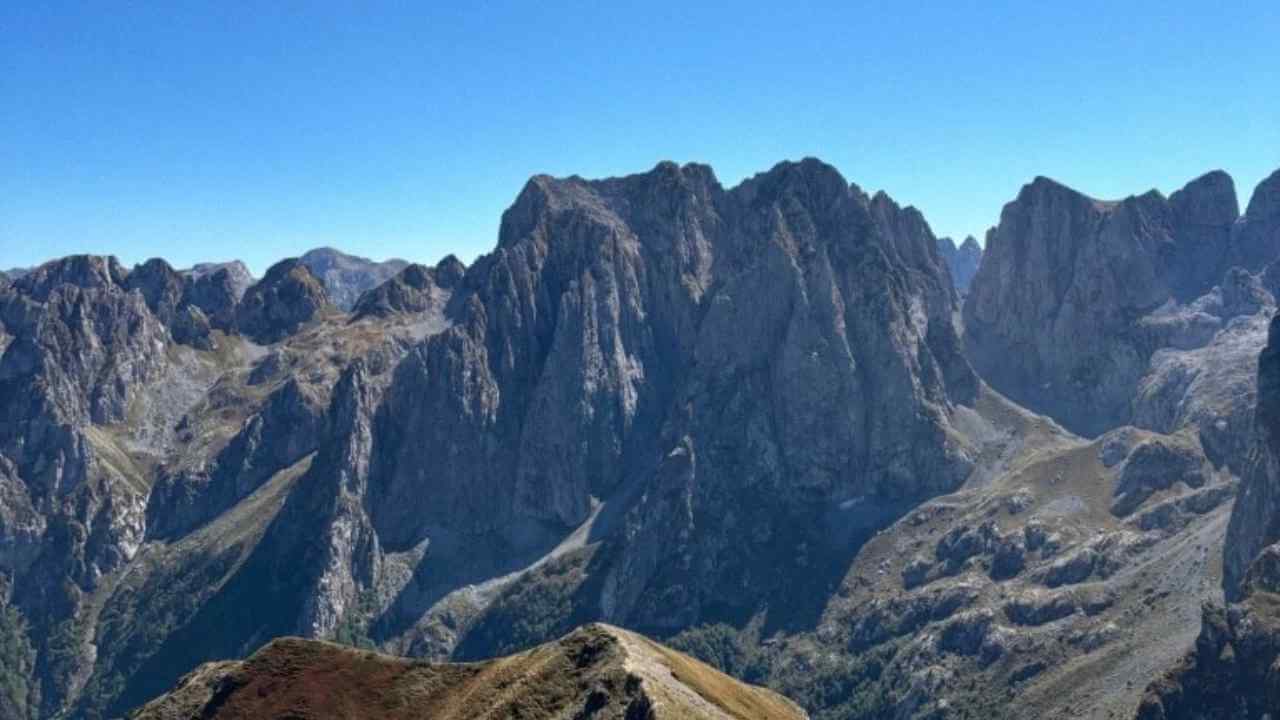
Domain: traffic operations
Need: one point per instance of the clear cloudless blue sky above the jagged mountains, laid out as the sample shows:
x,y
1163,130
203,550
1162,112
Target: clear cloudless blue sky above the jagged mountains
x,y
202,131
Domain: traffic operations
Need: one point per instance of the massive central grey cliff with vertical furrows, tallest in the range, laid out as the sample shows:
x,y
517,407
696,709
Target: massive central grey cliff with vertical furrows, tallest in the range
x,y
761,354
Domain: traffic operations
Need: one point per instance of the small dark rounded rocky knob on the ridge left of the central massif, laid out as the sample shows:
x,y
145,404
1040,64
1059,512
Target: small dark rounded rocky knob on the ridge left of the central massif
x,y
280,304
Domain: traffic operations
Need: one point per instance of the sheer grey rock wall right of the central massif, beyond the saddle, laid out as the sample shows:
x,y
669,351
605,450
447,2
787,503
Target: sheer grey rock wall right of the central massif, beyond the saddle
x,y
1076,297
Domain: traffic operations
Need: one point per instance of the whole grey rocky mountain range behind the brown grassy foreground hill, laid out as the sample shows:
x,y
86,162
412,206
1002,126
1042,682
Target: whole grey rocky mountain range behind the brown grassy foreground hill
x,y
743,421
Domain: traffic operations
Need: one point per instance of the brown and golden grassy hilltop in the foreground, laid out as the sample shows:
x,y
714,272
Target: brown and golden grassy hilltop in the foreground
x,y
596,672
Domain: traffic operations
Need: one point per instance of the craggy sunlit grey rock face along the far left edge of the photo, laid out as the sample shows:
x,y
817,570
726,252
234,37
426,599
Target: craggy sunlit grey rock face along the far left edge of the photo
x,y
83,349
